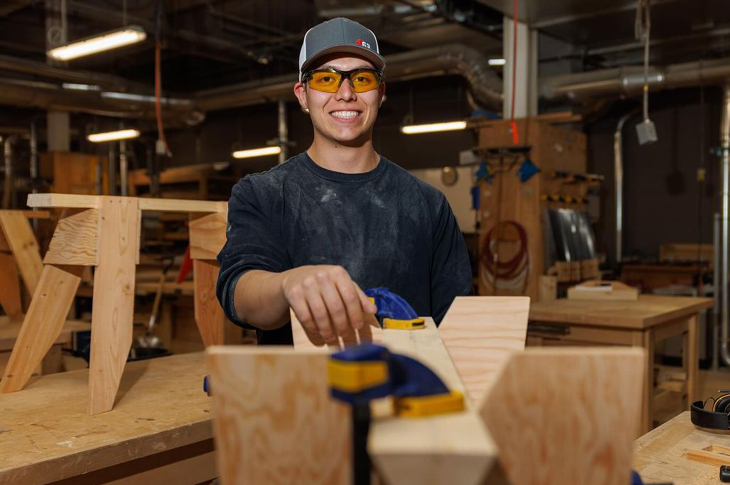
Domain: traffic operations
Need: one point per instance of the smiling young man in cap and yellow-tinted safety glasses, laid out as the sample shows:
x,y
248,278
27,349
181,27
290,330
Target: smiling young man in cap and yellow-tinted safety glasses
x,y
312,233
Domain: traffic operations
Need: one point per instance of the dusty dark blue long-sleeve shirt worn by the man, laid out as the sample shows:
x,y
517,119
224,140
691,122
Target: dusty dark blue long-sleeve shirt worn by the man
x,y
385,227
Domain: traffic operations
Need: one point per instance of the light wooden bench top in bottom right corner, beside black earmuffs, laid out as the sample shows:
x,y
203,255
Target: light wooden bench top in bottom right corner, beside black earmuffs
x,y
658,455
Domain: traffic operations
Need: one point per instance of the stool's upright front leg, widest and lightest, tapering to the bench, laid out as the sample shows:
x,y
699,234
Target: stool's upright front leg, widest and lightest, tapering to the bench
x,y
111,336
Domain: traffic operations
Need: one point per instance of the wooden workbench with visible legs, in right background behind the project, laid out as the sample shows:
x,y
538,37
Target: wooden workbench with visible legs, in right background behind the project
x,y
641,323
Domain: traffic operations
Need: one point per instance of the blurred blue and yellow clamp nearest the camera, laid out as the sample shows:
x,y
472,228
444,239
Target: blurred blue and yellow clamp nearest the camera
x,y
366,372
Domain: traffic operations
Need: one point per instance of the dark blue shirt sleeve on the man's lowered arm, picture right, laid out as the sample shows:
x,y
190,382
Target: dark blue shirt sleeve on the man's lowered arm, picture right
x,y
450,269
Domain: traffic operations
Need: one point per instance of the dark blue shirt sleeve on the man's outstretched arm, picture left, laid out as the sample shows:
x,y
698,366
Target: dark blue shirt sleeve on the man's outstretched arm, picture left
x,y
253,240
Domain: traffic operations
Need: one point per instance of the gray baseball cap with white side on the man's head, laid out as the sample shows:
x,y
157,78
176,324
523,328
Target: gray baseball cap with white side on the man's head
x,y
339,35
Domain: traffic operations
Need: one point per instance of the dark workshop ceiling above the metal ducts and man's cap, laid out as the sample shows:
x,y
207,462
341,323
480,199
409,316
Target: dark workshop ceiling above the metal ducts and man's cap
x,y
211,43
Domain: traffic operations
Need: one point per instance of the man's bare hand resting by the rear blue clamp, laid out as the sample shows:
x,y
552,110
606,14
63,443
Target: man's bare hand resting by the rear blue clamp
x,y
326,301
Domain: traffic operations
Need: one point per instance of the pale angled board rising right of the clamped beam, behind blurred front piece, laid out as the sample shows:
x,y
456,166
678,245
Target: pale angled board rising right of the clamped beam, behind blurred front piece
x,y
480,333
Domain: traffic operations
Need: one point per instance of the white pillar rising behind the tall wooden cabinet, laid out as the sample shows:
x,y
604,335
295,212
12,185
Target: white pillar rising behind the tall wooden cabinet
x,y
526,74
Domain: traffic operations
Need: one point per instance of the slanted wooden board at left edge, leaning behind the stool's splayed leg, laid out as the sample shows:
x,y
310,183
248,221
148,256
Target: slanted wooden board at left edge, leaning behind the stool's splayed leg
x,y
24,247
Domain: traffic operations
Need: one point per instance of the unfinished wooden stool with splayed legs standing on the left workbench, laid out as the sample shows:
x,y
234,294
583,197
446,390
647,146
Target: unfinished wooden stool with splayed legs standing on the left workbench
x,y
103,231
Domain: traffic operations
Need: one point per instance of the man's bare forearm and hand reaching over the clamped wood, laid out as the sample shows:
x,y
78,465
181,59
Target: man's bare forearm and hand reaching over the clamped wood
x,y
324,298
